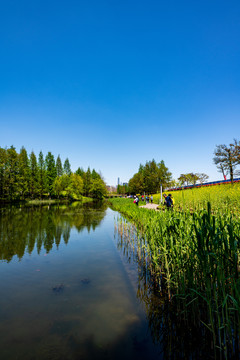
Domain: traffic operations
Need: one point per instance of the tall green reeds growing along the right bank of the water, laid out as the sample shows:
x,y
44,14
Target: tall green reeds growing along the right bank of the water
x,y
193,254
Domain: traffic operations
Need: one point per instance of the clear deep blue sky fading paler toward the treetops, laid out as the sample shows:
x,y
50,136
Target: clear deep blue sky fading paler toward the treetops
x,y
111,84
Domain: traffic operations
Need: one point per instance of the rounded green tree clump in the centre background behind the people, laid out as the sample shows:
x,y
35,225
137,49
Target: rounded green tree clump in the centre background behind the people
x,y
149,178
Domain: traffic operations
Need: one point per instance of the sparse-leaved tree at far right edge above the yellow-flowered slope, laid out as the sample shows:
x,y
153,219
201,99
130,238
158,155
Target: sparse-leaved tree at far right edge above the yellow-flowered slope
x,y
227,157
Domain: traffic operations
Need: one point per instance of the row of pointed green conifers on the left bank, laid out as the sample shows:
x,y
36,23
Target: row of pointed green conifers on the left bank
x,y
23,177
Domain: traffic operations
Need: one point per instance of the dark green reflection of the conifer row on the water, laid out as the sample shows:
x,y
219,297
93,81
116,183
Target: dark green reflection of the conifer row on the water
x,y
43,226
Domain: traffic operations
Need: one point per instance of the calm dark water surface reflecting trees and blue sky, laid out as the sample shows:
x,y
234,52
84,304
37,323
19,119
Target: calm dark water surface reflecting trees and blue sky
x,y
67,289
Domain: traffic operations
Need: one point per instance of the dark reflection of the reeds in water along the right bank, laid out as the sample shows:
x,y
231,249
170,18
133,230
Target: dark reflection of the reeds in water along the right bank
x,y
176,329
